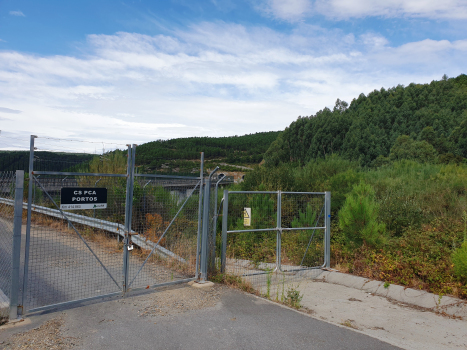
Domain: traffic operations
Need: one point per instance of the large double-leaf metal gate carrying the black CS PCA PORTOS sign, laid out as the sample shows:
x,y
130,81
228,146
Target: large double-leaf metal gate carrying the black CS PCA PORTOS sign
x,y
146,235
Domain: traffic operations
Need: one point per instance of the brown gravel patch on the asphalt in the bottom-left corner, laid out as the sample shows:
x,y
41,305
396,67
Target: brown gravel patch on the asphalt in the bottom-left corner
x,y
46,337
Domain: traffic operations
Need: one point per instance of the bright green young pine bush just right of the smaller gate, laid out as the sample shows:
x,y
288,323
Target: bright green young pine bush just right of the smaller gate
x,y
358,217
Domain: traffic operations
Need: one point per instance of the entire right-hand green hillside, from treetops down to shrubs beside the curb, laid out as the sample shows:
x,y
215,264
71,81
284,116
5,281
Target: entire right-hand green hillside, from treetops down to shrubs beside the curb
x,y
395,163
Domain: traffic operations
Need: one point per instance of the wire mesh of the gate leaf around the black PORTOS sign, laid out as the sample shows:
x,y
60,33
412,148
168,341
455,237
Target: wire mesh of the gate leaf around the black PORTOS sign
x,y
79,258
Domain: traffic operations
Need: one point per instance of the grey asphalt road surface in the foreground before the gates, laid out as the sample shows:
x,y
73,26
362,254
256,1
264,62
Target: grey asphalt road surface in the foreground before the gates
x,y
236,321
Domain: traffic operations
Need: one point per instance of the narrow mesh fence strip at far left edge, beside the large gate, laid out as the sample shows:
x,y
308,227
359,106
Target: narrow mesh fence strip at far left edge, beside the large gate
x,y
7,194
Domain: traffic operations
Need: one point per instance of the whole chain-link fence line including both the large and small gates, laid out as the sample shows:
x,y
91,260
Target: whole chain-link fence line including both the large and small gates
x,y
149,230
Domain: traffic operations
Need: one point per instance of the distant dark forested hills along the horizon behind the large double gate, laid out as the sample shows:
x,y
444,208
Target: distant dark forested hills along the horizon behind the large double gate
x,y
179,156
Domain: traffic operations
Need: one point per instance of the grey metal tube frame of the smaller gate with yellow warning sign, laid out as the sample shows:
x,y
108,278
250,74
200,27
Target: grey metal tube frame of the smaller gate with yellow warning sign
x,y
278,228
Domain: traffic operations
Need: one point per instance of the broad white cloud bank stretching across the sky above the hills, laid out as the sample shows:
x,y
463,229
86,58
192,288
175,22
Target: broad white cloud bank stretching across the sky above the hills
x,y
215,79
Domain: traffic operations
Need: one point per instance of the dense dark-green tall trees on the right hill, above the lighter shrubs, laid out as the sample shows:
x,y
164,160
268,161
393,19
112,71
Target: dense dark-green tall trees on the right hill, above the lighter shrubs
x,y
371,129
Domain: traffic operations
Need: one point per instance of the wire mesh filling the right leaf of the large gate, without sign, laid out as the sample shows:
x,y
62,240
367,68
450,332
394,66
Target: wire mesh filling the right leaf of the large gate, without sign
x,y
165,216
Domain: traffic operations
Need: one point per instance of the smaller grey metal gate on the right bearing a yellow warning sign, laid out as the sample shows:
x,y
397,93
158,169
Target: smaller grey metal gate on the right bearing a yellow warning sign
x,y
275,232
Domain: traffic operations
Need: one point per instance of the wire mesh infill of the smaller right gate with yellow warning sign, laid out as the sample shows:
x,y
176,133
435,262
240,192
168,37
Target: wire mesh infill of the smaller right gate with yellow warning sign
x,y
300,243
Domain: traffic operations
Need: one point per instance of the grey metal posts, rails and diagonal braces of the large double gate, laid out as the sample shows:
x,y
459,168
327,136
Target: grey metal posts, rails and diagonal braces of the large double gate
x,y
17,309
